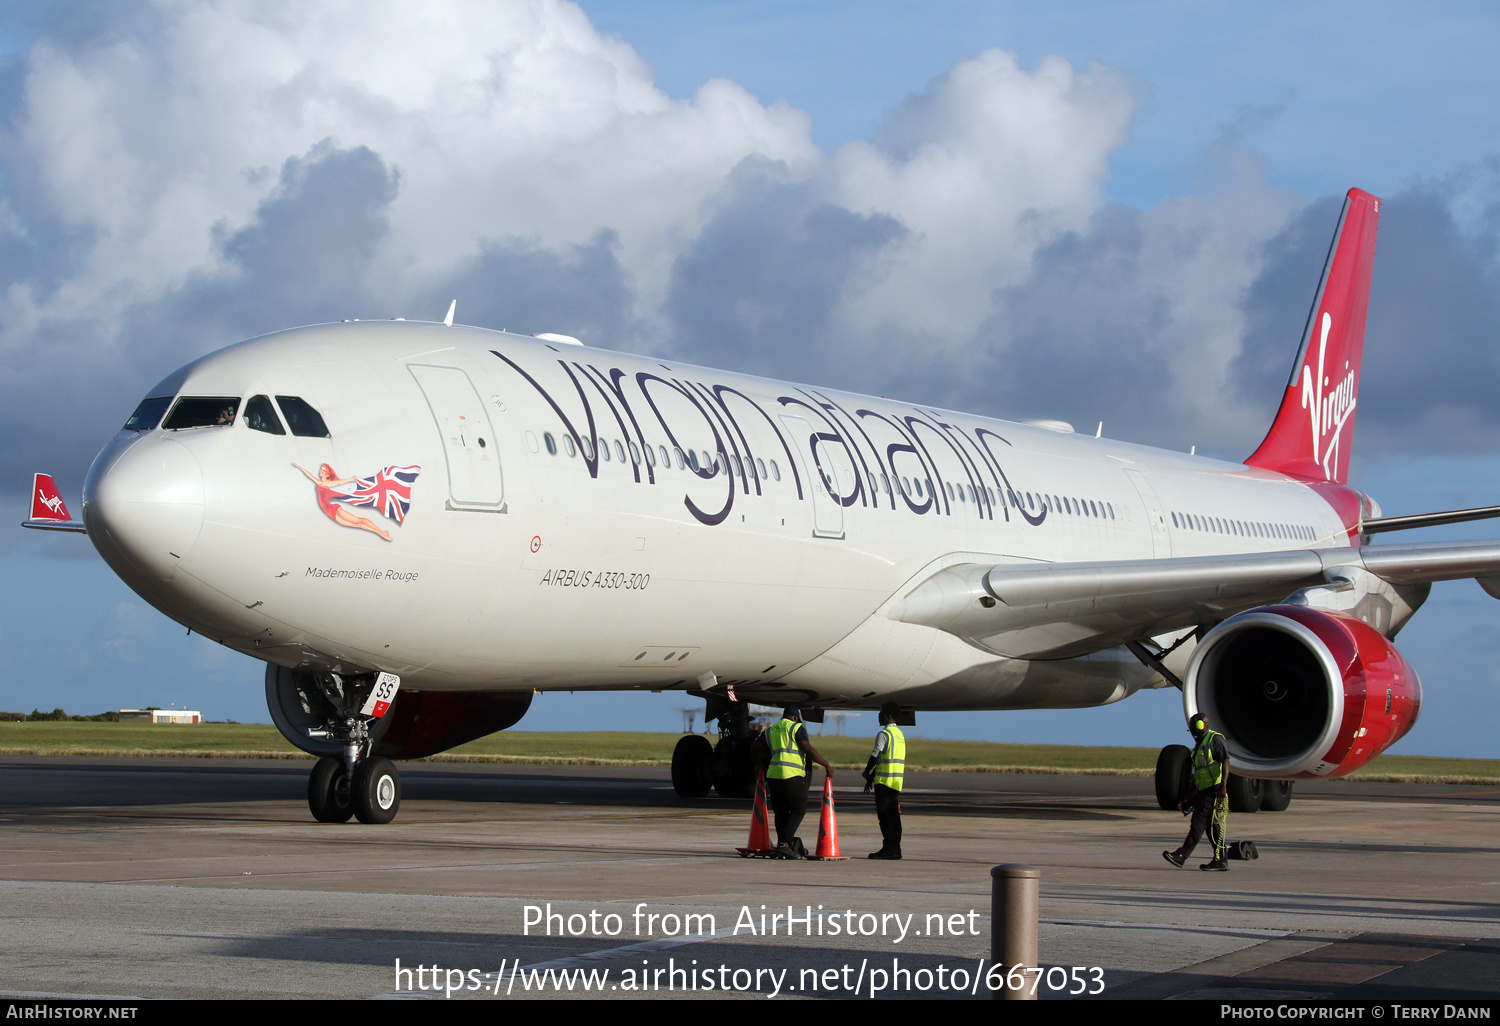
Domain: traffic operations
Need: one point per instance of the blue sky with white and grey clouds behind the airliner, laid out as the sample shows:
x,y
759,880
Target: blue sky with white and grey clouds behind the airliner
x,y
1081,211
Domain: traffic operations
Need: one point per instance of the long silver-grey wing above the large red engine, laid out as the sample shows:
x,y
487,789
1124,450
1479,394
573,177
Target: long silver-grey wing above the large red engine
x,y
1061,610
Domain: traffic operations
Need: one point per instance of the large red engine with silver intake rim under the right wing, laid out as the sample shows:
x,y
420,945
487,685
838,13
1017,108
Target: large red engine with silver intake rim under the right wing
x,y
1301,694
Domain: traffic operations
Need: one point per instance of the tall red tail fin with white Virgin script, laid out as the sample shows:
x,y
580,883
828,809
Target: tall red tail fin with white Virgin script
x,y
1312,434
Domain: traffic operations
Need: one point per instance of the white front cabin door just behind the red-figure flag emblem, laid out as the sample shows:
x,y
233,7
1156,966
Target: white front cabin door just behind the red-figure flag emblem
x,y
469,439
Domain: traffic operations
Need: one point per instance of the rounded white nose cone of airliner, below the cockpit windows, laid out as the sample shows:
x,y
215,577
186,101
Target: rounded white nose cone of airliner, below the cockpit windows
x,y
146,506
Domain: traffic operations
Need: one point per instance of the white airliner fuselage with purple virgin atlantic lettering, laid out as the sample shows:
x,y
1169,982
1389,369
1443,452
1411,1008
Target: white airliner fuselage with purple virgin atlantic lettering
x,y
568,518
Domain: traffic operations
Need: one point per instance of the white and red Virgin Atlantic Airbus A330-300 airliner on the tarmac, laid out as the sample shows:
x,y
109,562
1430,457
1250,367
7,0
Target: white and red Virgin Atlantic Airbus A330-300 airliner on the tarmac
x,y
419,526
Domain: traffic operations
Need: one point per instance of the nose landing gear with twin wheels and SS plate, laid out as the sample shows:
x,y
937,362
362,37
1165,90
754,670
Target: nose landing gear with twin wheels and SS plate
x,y
353,784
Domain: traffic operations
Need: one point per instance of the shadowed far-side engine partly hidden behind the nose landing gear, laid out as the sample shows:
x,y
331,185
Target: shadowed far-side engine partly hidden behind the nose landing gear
x,y
418,725
